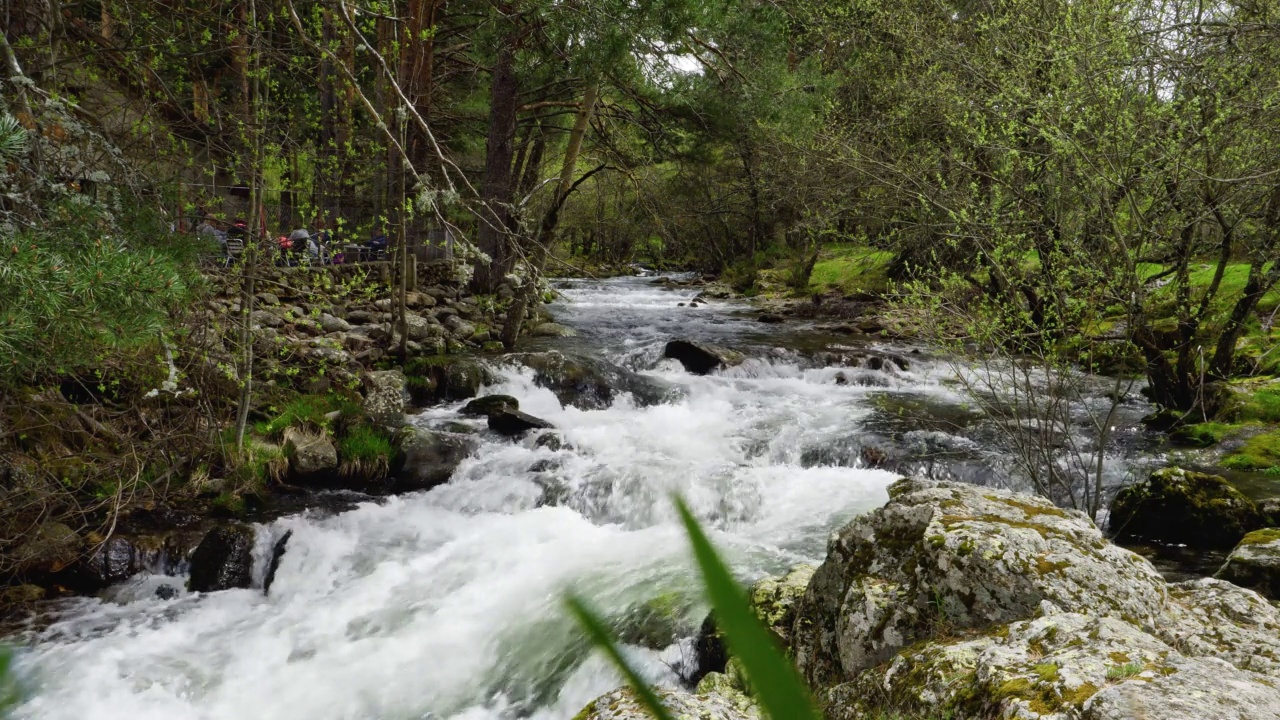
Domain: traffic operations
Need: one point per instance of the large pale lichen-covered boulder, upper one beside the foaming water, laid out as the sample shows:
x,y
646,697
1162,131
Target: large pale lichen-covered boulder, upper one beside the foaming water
x,y
967,557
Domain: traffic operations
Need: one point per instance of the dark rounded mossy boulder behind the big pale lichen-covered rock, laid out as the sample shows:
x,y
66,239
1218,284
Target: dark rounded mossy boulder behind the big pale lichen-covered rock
x,y
1186,508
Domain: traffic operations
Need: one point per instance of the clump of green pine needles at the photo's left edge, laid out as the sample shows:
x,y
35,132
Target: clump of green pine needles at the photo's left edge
x,y
88,284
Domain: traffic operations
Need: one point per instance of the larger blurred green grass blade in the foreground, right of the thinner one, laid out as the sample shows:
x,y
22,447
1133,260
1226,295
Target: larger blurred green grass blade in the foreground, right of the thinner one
x,y
775,681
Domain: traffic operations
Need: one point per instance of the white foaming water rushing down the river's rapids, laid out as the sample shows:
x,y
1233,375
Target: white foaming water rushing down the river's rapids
x,y
449,604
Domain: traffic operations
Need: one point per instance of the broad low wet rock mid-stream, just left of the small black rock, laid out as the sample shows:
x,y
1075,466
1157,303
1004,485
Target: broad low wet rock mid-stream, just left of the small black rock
x,y
591,384
